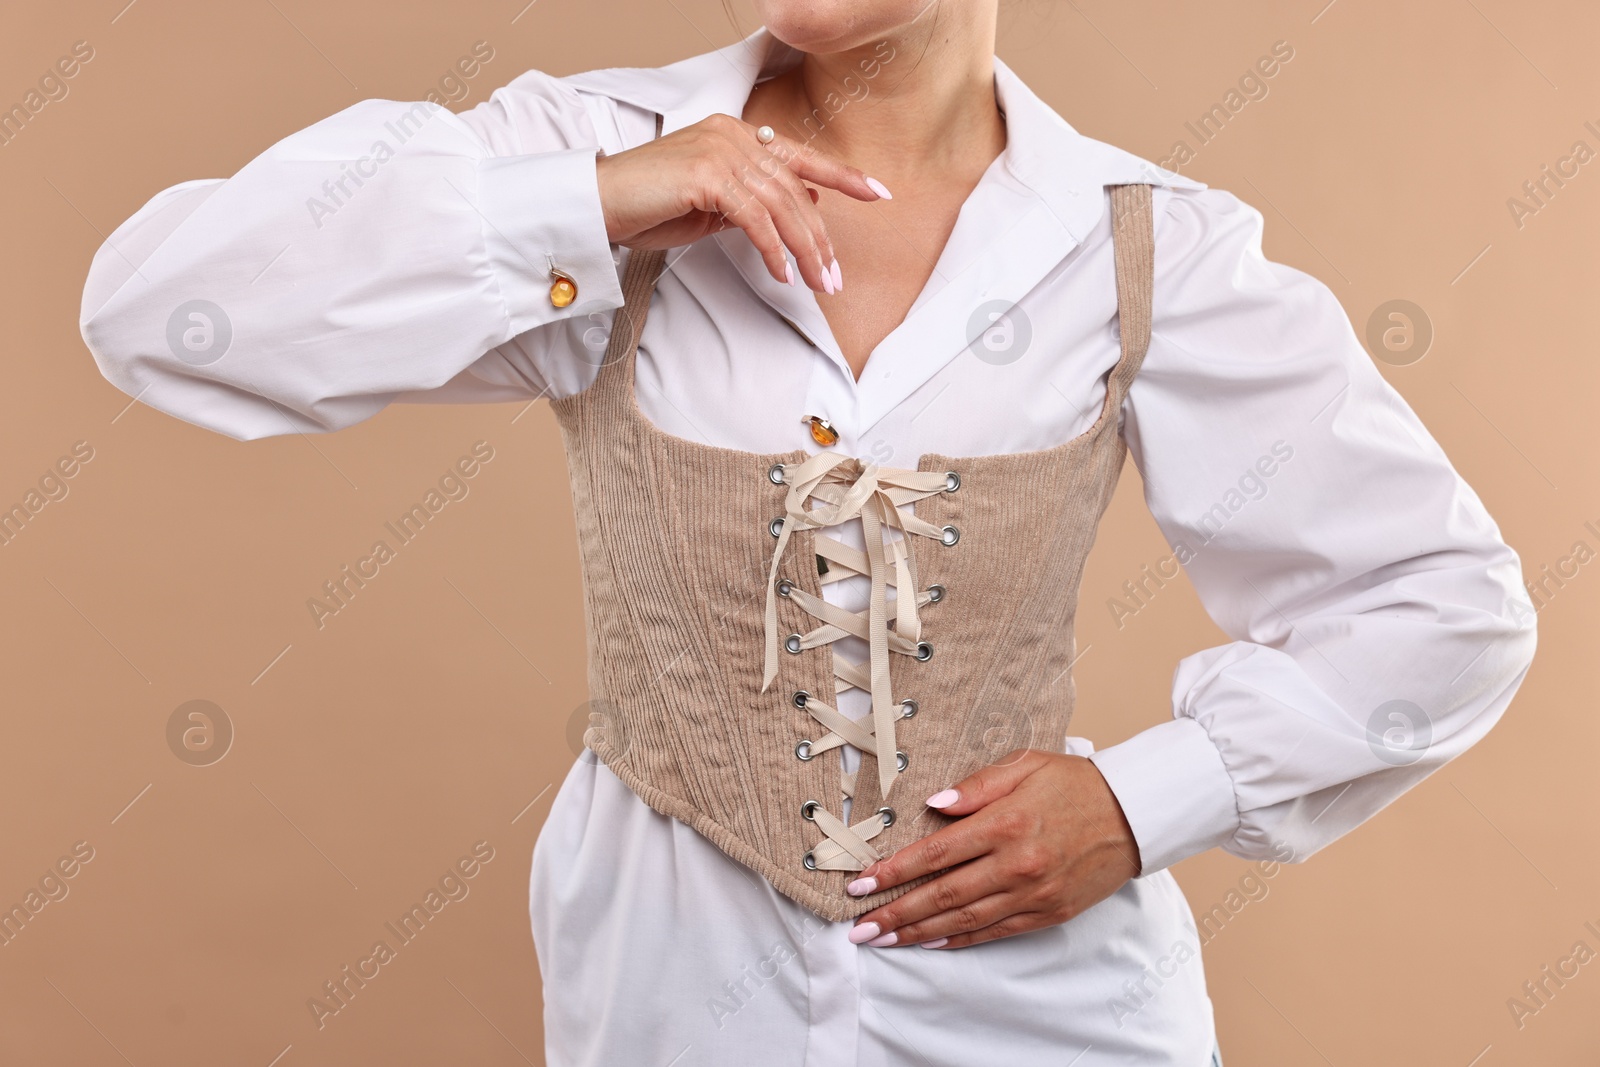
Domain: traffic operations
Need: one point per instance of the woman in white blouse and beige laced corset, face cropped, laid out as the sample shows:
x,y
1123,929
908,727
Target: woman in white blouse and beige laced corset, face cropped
x,y
999,306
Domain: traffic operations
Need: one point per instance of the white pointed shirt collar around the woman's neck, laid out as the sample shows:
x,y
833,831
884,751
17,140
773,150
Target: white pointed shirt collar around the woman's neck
x,y
1044,153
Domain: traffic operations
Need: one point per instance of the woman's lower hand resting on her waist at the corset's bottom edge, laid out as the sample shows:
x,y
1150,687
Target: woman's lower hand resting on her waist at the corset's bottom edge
x,y
1044,839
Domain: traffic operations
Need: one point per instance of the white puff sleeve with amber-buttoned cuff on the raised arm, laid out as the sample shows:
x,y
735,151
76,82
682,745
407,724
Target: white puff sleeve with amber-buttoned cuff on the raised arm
x,y
374,257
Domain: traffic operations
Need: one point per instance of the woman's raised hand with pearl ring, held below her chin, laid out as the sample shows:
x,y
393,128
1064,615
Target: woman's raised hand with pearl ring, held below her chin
x,y
700,180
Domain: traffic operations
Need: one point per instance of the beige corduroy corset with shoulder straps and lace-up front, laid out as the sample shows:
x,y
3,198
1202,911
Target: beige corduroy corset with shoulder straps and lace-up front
x,y
710,637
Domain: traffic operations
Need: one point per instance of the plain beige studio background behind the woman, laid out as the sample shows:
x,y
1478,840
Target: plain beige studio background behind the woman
x,y
434,713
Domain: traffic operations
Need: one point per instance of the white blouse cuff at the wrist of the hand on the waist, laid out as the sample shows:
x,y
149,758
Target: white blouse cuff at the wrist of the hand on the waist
x,y
1175,791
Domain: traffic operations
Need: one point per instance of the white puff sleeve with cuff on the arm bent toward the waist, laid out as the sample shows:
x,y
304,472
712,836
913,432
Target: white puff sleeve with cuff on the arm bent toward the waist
x,y
1377,617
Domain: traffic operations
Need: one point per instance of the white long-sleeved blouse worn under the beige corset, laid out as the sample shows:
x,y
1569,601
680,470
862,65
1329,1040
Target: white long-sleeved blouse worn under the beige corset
x,y
398,252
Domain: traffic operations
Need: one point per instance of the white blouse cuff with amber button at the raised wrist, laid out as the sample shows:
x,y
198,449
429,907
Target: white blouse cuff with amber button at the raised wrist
x,y
540,210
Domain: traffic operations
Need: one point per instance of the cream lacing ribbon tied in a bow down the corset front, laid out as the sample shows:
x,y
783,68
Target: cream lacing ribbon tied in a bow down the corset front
x,y
847,489
